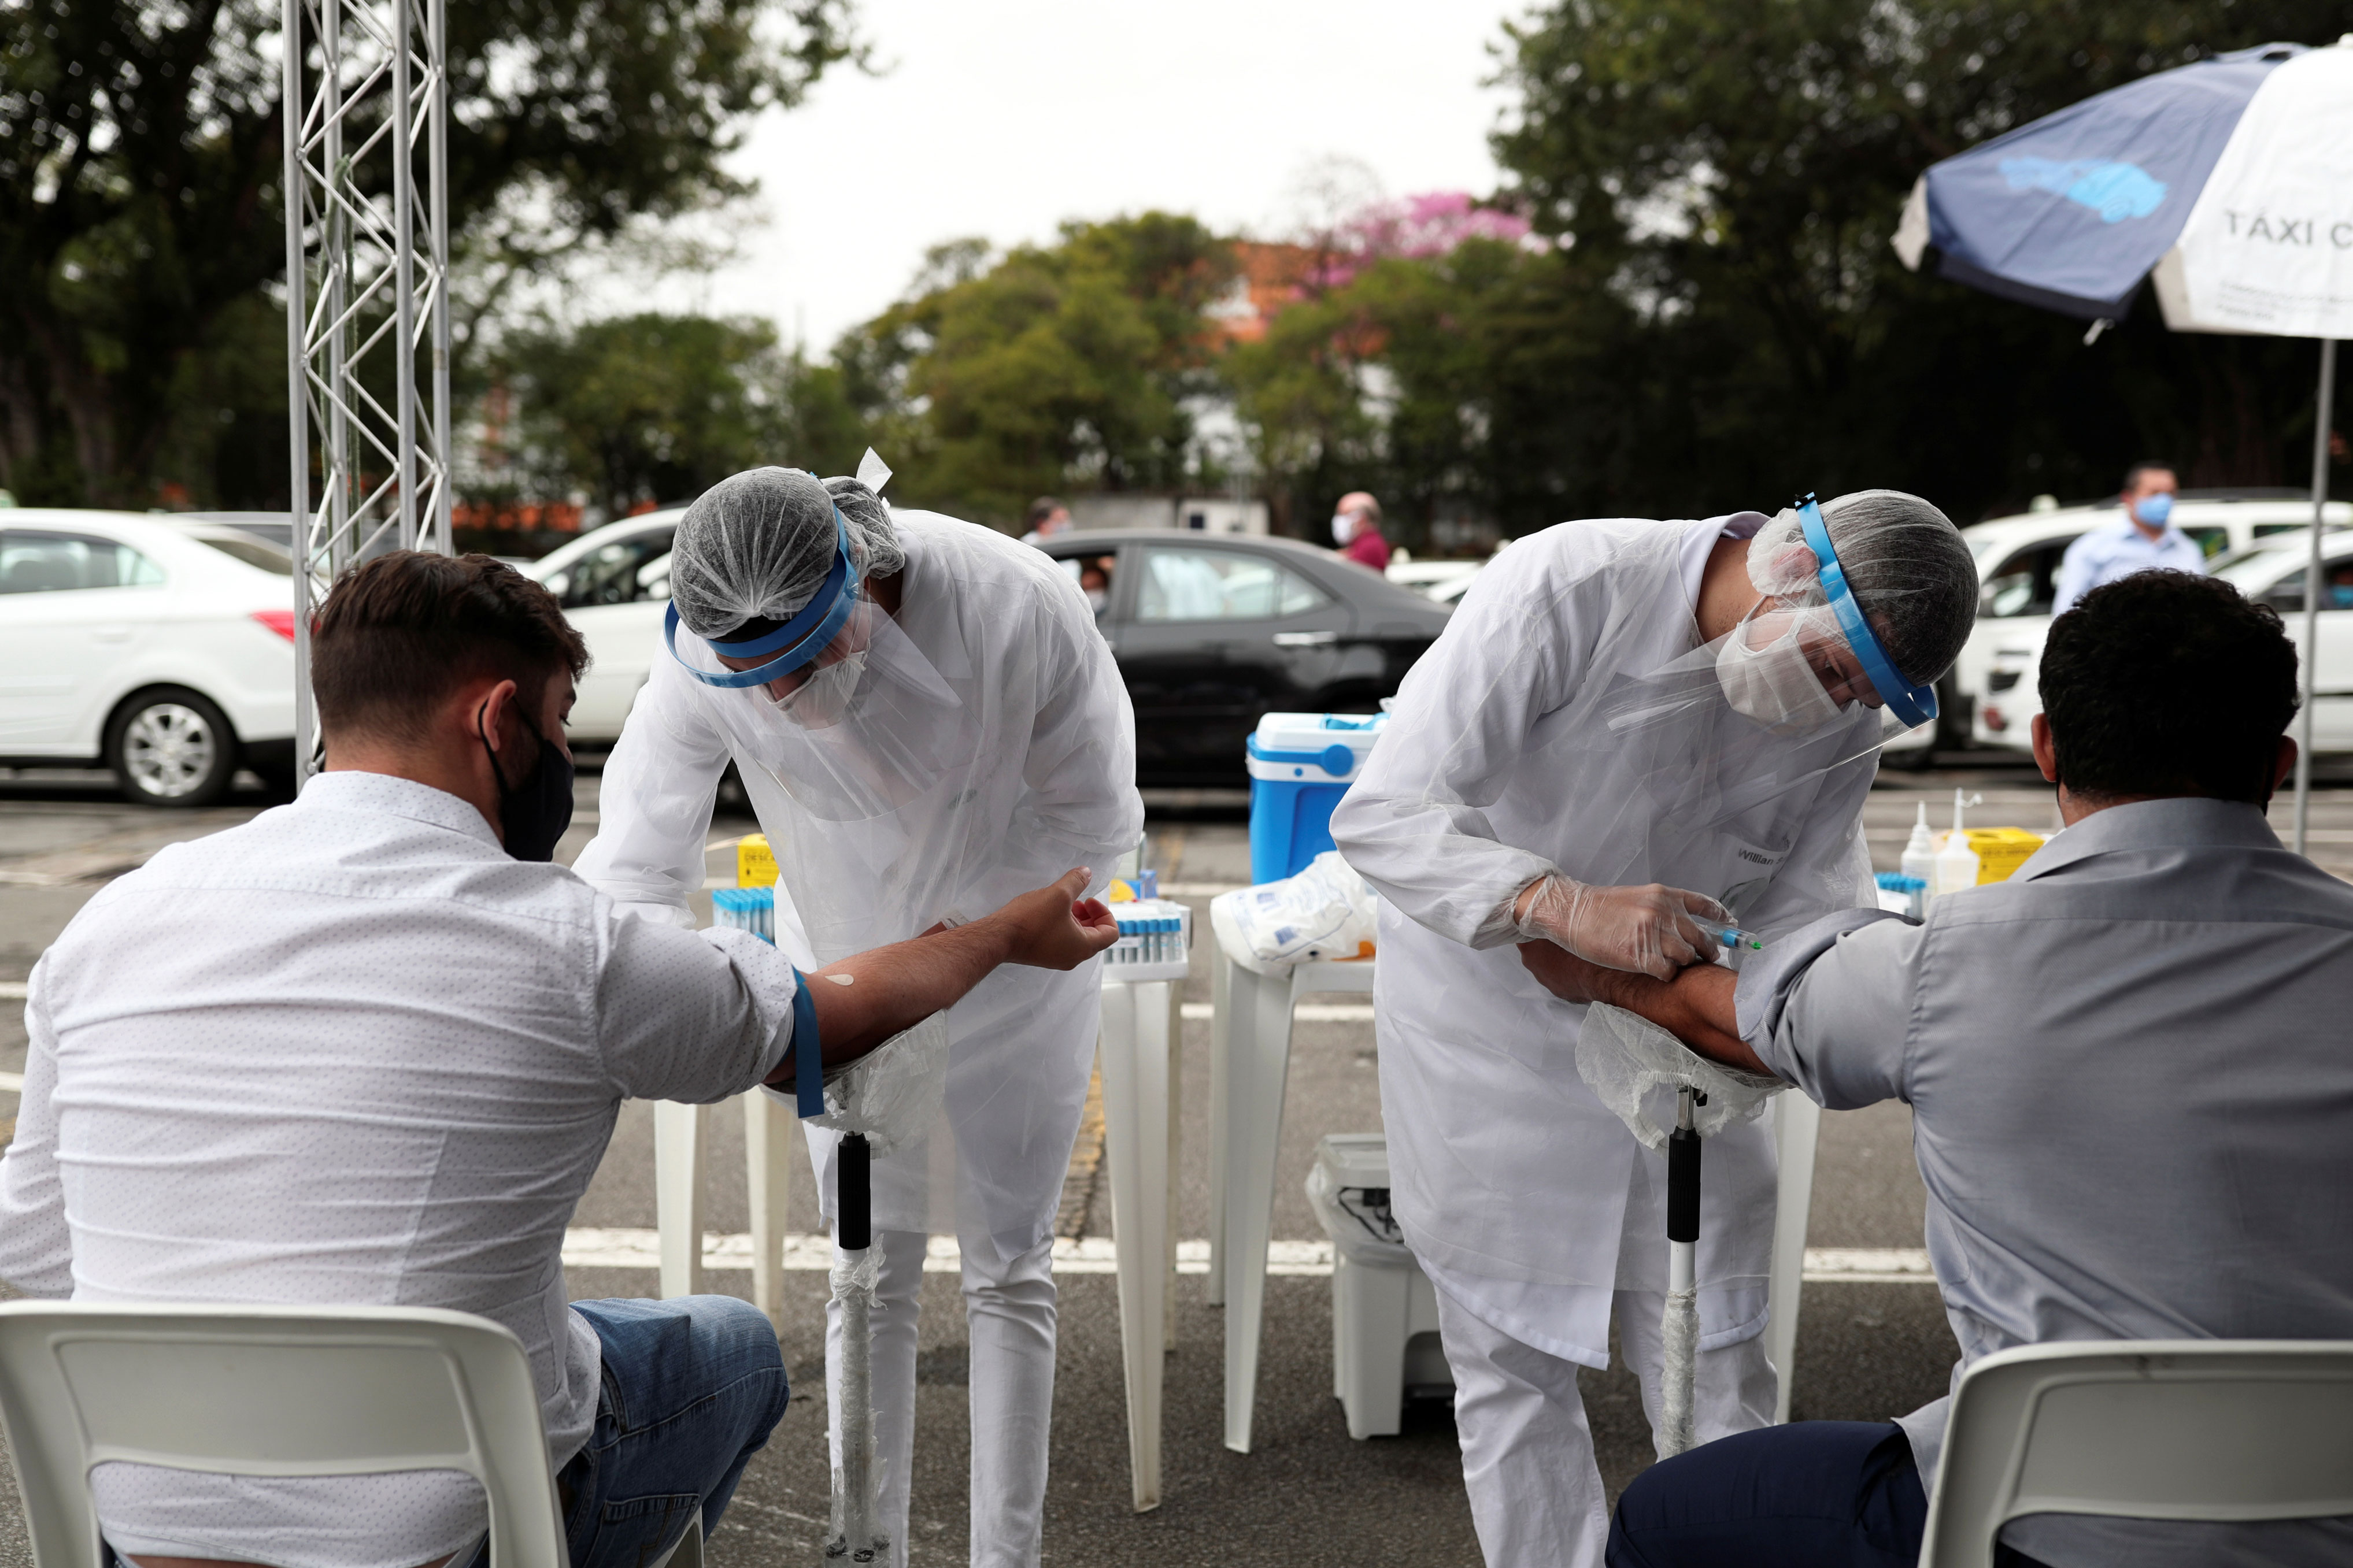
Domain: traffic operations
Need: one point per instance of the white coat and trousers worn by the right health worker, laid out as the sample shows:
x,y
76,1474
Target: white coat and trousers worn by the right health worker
x,y
1526,1200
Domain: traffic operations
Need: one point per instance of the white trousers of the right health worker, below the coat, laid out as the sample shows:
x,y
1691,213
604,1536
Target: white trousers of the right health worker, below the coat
x,y
1528,1454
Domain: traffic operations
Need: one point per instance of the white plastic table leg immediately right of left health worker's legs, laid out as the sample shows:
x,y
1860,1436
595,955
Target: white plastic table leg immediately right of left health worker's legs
x,y
1140,1141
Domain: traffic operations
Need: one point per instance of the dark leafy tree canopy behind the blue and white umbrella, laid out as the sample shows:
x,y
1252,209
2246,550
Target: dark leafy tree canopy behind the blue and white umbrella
x,y
1733,173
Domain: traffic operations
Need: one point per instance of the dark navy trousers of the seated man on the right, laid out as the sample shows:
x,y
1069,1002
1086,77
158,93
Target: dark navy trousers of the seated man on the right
x,y
1818,1494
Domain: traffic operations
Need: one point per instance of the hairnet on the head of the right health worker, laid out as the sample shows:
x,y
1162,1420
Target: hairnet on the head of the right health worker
x,y
1905,561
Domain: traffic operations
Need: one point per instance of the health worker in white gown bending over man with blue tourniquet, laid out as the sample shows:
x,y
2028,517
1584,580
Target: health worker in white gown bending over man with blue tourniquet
x,y
924,716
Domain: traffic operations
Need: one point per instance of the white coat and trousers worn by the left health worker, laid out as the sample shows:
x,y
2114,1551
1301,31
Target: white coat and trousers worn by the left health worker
x,y
1032,777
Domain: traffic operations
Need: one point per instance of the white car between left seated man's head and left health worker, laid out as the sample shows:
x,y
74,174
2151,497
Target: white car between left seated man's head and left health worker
x,y
615,587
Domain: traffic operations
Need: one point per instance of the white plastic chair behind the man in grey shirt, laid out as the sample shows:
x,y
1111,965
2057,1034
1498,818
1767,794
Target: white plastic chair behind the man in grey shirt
x,y
2222,1430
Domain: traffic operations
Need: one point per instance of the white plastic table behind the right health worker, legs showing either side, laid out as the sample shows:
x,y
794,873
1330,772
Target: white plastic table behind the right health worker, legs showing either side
x,y
1251,1054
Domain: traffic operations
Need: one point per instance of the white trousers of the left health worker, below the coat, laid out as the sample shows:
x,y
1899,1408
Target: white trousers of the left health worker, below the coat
x,y
1011,1318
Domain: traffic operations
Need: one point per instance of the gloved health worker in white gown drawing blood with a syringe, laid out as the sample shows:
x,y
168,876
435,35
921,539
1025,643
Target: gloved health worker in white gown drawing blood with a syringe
x,y
1629,737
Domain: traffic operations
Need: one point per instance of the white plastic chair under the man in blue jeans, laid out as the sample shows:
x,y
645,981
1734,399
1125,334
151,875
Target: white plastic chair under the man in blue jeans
x,y
274,1393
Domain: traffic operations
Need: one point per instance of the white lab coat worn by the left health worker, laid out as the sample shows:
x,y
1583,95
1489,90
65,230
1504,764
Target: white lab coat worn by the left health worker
x,y
1044,779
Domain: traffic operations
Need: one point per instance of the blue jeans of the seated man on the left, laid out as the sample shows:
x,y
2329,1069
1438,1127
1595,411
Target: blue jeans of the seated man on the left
x,y
693,1388
